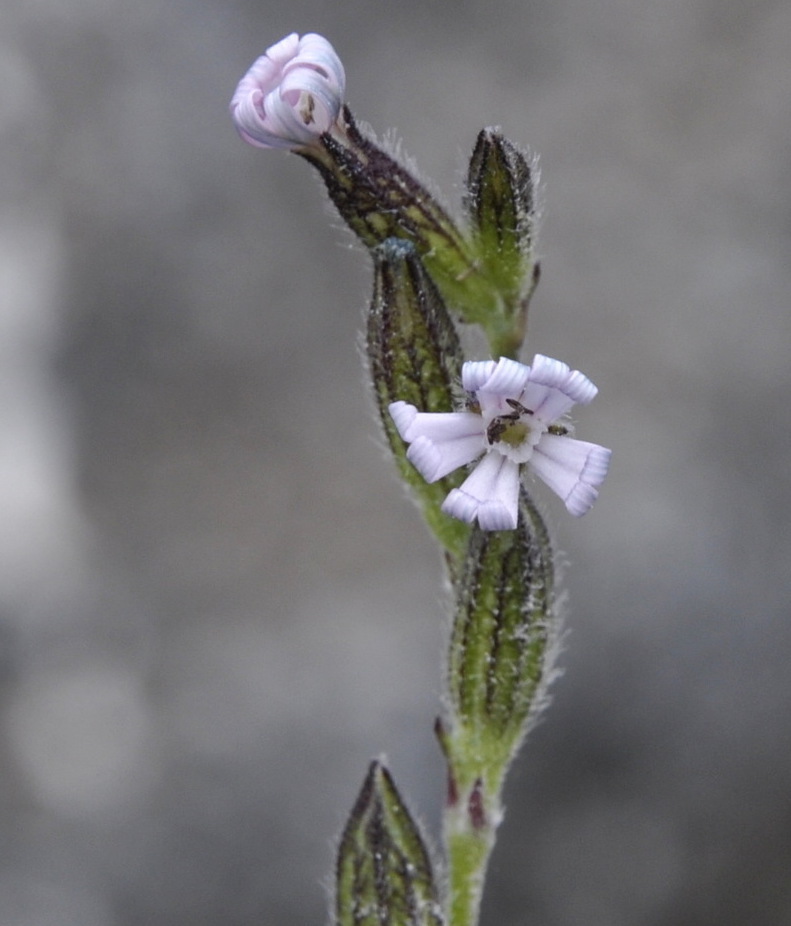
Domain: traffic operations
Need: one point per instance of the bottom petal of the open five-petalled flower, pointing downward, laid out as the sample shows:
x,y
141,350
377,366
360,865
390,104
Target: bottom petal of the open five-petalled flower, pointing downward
x,y
490,493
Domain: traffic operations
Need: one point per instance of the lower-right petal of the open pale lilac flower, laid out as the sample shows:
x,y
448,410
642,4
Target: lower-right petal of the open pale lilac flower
x,y
572,468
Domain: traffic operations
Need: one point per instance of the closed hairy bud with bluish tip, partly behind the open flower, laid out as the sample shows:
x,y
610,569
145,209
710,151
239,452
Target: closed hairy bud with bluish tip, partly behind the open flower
x,y
414,355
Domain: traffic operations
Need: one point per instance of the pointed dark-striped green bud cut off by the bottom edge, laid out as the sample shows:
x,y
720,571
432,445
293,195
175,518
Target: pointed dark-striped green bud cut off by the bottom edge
x,y
384,872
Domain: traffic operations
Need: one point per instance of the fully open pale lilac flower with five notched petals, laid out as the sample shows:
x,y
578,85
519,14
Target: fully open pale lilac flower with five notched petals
x,y
511,419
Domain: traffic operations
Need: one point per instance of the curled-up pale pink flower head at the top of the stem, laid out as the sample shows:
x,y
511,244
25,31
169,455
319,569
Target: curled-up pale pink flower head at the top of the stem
x,y
291,95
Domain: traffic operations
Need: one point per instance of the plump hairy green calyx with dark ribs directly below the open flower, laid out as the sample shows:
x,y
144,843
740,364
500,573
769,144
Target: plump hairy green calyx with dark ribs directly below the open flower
x,y
502,643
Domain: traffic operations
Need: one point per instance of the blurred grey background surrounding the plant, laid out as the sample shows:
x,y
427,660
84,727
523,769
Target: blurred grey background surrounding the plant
x,y
215,603
